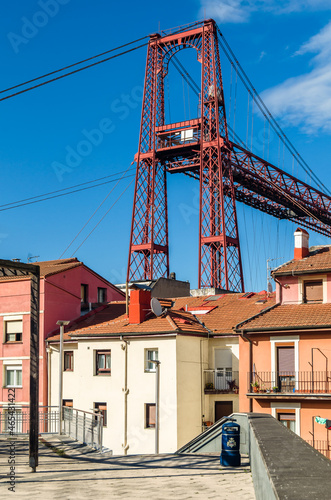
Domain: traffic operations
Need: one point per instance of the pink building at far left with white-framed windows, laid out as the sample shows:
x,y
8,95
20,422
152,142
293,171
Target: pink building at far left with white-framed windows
x,y
68,290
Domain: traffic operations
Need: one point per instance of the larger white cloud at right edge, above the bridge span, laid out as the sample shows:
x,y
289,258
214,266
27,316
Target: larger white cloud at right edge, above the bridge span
x,y
305,100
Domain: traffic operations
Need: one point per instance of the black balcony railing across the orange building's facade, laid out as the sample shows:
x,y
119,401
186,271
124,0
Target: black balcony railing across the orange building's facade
x,y
307,382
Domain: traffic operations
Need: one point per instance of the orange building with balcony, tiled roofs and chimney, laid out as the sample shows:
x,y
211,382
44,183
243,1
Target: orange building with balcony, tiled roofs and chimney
x,y
284,351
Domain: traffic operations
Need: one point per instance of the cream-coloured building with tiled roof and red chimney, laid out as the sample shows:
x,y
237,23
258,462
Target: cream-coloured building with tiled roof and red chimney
x,y
108,367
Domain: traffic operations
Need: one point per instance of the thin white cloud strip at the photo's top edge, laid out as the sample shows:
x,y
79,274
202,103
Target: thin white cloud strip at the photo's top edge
x,y
239,11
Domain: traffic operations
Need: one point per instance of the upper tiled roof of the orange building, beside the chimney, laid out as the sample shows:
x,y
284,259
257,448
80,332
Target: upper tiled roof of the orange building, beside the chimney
x,y
318,260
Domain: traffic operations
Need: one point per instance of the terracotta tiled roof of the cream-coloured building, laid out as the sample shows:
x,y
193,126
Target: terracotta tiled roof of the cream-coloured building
x,y
187,316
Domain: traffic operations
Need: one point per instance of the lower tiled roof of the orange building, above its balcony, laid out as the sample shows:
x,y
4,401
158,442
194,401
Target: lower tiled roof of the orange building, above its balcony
x,y
290,316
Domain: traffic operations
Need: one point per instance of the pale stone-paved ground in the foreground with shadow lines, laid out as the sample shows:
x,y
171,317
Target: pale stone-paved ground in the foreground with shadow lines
x,y
85,474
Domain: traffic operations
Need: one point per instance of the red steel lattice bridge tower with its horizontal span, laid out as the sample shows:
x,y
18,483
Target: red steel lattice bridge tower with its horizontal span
x,y
226,171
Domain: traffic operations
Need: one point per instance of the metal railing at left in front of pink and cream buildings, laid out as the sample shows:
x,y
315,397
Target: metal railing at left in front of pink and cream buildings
x,y
83,426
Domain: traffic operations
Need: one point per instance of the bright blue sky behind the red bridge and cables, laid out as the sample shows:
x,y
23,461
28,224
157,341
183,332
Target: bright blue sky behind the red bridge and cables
x,y
284,47
